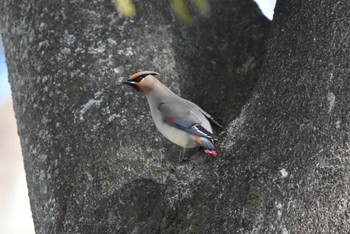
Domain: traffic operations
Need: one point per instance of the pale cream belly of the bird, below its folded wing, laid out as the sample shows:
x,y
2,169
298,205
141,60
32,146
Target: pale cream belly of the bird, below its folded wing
x,y
178,136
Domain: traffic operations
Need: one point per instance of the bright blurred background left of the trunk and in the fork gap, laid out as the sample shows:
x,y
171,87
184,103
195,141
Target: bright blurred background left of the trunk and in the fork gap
x,y
15,214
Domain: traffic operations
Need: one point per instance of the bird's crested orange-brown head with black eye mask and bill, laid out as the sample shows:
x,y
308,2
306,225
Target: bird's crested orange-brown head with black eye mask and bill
x,y
142,81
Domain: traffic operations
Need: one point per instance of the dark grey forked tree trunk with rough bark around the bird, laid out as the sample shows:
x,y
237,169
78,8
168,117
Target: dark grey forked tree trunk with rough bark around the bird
x,y
96,164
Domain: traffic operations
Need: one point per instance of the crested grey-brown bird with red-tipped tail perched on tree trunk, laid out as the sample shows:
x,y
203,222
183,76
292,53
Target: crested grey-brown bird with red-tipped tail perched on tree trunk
x,y
177,119
